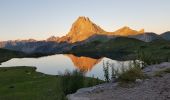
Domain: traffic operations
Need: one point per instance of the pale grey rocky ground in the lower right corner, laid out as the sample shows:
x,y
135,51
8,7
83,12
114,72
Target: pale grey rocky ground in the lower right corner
x,y
155,87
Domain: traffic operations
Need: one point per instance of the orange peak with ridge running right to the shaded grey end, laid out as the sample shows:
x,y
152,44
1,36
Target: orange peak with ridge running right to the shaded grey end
x,y
83,29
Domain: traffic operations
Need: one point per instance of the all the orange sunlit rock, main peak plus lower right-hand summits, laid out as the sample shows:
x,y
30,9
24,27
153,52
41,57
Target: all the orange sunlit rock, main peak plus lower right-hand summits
x,y
83,28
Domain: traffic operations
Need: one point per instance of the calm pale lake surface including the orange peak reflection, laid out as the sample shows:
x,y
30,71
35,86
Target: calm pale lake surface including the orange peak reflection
x,y
58,63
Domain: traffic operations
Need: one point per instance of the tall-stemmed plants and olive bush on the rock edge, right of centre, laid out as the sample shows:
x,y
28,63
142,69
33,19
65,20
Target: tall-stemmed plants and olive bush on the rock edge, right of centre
x,y
126,74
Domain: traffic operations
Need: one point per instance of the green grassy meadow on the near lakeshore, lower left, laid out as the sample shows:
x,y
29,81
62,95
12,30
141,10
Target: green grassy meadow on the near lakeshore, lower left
x,y
24,83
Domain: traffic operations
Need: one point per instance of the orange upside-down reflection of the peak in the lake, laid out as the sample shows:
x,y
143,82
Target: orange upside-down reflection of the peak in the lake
x,y
84,64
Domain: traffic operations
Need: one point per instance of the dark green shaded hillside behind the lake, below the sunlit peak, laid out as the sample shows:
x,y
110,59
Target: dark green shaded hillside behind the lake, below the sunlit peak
x,y
123,48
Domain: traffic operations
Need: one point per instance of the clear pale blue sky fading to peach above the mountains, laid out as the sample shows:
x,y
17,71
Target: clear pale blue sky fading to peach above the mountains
x,y
40,19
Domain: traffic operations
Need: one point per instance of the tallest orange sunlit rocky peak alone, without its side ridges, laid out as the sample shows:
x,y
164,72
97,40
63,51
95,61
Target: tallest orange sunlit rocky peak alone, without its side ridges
x,y
82,29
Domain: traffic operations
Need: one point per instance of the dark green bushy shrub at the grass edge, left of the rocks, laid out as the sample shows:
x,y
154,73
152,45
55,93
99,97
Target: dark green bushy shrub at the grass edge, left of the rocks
x,y
72,81
